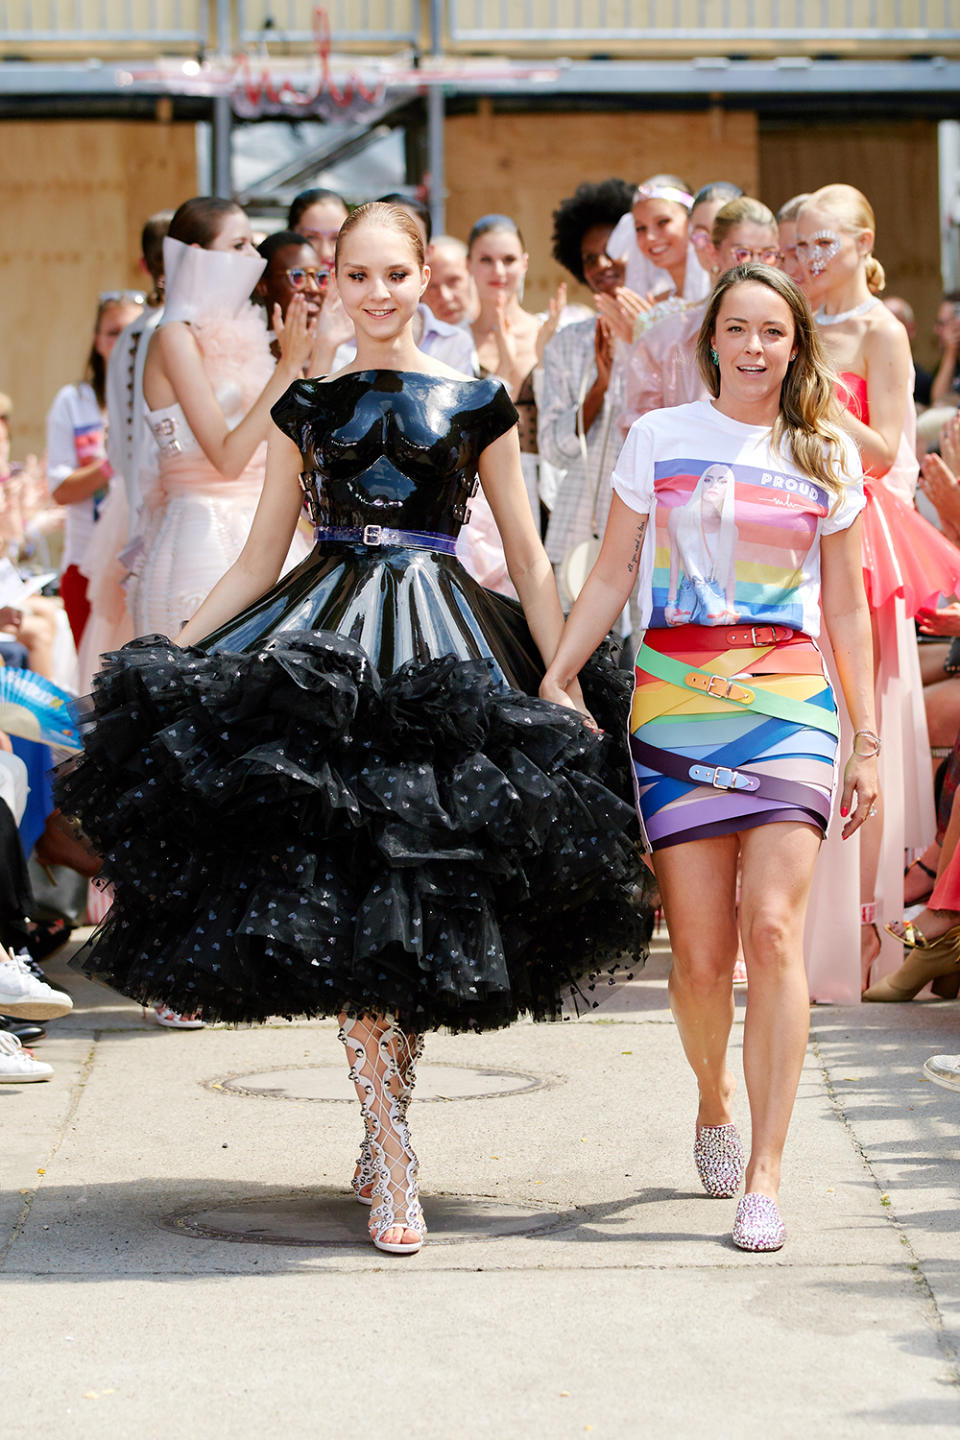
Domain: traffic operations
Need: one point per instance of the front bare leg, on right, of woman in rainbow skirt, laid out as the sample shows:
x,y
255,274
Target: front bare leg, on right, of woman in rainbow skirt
x,y
778,870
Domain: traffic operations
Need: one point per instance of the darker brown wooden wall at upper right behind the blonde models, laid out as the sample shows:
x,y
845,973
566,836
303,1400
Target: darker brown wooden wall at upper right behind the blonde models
x,y
895,163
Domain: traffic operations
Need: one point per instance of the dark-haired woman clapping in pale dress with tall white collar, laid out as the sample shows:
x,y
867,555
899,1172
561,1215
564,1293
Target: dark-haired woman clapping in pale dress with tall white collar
x,y
209,385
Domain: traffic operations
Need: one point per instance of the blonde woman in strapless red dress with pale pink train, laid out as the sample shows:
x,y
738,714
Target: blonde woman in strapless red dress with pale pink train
x,y
906,562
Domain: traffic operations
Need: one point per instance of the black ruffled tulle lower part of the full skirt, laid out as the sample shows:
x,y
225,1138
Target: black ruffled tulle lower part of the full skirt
x,y
291,833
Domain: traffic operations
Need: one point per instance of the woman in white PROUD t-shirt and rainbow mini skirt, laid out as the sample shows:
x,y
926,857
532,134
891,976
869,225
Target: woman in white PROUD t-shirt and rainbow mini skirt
x,y
735,729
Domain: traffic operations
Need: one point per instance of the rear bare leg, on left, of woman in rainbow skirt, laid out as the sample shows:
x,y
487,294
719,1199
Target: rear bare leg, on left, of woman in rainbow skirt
x,y
699,888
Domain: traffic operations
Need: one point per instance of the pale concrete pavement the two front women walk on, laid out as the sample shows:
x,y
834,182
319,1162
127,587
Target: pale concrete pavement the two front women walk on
x,y
179,1256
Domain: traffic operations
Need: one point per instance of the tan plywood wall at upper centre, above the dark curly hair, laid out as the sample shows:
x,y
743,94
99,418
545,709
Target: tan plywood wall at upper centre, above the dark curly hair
x,y
525,165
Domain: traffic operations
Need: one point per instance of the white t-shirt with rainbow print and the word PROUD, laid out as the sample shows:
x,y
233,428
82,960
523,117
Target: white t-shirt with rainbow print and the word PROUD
x,y
736,528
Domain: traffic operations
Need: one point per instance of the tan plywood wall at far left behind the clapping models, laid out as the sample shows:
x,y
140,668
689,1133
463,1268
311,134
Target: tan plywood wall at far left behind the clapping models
x,y
76,198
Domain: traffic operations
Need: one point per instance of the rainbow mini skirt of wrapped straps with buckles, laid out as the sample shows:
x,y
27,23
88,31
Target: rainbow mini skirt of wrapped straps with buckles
x,y
730,728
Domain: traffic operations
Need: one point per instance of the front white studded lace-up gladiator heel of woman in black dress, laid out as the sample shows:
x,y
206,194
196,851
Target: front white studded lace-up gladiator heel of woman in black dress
x,y
384,1069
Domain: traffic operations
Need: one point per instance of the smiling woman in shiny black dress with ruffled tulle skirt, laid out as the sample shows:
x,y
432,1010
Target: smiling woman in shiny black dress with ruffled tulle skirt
x,y
339,794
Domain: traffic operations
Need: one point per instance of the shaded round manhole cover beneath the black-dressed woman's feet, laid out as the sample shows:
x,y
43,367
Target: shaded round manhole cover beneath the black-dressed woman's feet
x,y
323,1220
